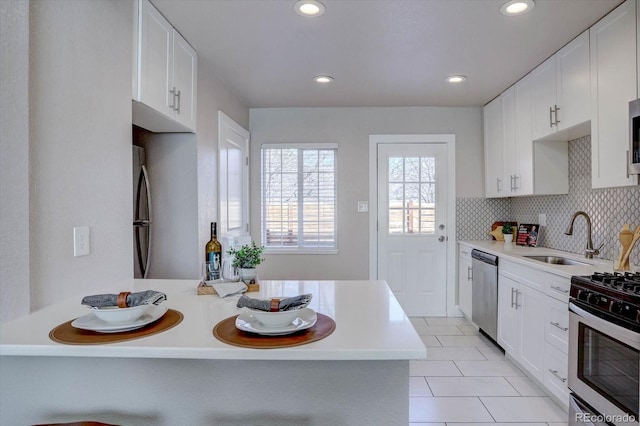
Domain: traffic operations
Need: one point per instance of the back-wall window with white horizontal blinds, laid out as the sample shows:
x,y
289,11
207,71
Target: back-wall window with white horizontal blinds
x,y
299,197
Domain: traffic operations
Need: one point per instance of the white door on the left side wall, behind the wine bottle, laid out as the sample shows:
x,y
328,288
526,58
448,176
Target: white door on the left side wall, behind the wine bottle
x,y
233,143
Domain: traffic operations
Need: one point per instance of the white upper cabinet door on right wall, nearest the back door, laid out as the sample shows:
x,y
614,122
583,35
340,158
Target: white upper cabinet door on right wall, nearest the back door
x,y
493,149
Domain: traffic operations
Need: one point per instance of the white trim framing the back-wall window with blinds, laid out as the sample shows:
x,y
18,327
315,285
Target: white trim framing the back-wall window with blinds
x,y
300,250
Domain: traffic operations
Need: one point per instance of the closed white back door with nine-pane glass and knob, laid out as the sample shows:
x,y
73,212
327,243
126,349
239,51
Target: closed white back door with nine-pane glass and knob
x,y
412,216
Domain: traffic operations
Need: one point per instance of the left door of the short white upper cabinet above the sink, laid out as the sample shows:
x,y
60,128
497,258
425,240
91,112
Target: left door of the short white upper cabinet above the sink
x,y
543,79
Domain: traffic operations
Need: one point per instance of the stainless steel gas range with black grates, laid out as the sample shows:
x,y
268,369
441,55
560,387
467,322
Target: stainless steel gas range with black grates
x,y
604,349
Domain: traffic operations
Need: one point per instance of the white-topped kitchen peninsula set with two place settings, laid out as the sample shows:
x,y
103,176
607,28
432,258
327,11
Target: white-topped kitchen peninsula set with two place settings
x,y
357,375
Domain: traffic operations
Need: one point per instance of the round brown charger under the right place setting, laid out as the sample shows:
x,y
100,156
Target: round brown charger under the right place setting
x,y
227,332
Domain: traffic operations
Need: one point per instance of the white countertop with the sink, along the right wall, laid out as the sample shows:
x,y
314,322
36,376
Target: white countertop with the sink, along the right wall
x,y
517,253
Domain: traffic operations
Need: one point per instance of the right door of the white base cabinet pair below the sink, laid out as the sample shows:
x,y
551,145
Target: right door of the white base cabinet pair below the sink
x,y
531,305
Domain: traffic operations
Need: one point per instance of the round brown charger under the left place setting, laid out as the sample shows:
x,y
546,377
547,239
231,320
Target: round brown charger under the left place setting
x,y
67,334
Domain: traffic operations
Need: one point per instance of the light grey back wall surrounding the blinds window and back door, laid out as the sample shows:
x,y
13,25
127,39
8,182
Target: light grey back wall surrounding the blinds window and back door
x,y
350,128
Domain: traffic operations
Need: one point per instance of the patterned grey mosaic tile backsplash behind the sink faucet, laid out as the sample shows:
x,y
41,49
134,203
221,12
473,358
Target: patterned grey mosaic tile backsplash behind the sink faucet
x,y
608,208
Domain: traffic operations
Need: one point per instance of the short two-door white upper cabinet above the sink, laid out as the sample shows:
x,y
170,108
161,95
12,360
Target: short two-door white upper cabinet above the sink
x,y
560,96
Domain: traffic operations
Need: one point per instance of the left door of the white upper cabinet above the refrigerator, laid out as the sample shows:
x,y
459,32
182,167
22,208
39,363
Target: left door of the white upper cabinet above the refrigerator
x,y
155,67
